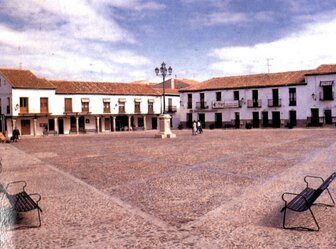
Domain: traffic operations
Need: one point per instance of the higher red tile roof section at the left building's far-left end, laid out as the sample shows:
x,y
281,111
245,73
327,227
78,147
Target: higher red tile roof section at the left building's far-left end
x,y
25,79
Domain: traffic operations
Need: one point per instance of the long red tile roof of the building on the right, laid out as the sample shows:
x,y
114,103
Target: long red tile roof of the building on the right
x,y
260,80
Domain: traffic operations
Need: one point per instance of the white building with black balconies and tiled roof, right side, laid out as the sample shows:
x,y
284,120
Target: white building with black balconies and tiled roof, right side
x,y
289,99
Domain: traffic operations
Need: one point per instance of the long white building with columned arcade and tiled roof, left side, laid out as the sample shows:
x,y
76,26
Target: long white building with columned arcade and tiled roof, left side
x,y
37,106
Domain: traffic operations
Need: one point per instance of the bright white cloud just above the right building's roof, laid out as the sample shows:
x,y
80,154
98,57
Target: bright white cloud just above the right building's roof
x,y
305,49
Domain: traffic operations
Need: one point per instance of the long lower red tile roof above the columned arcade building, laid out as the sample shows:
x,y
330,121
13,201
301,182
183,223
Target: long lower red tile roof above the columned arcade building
x,y
80,87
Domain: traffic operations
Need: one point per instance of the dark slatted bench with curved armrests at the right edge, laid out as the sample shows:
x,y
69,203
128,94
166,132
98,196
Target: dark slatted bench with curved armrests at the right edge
x,y
303,201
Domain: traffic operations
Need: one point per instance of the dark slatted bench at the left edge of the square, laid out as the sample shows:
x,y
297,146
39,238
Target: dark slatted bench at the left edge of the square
x,y
22,201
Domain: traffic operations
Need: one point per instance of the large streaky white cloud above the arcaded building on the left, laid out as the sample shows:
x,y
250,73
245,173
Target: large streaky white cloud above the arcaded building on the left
x,y
70,39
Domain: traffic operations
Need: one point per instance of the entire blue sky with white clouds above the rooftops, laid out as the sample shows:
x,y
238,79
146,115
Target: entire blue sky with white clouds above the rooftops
x,y
124,40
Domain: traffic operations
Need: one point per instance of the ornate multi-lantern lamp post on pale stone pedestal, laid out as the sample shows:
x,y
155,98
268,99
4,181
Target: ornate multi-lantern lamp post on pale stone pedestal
x,y
164,119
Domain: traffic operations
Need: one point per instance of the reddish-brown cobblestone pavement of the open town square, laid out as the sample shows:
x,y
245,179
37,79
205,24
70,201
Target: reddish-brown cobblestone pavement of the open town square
x,y
220,189
